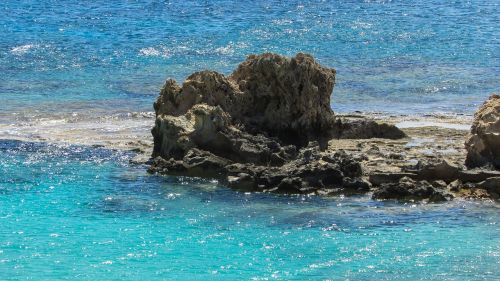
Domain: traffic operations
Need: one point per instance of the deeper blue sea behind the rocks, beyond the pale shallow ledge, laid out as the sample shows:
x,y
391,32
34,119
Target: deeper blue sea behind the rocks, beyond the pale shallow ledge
x,y
393,56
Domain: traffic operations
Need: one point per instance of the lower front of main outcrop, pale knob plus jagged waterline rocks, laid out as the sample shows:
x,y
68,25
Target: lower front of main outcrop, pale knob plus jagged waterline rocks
x,y
203,143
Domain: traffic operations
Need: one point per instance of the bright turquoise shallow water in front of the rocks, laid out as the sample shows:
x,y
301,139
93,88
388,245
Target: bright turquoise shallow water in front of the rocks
x,y
71,212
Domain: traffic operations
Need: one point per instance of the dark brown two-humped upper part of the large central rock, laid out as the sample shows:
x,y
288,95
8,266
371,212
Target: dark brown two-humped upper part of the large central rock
x,y
288,98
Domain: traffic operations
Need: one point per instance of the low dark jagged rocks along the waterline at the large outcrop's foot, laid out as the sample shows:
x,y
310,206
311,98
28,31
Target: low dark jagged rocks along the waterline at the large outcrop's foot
x,y
307,173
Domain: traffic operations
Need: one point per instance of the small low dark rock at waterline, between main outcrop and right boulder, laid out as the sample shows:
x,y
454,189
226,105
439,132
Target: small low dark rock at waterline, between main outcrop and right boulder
x,y
407,189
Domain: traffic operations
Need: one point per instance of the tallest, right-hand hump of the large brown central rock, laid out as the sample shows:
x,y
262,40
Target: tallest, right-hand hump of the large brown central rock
x,y
288,97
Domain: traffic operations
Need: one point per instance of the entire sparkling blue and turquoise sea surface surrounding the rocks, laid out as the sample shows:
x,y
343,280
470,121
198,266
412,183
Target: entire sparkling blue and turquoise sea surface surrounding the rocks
x,y
88,71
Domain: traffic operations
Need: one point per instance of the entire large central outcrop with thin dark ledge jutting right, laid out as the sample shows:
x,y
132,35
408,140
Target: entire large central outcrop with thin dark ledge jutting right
x,y
263,128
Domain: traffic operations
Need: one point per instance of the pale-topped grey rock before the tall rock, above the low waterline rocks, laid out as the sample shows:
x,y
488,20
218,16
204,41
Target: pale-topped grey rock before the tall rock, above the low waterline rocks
x,y
208,128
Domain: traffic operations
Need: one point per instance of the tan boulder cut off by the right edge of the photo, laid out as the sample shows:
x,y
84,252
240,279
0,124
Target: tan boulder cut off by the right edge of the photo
x,y
483,144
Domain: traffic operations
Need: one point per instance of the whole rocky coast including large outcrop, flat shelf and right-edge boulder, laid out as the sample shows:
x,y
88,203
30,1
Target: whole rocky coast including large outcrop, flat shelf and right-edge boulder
x,y
269,127
